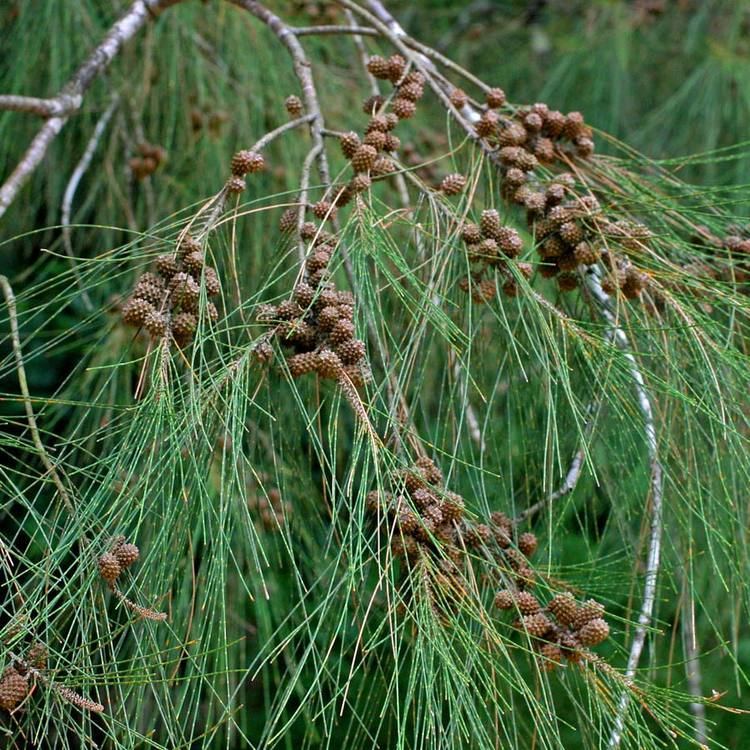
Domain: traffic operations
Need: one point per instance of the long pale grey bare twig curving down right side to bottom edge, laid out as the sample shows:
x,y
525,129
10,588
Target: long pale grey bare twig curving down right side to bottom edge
x,y
617,335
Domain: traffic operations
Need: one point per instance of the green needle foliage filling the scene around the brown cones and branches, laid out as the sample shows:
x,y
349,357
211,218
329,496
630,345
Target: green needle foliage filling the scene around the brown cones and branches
x,y
290,636
